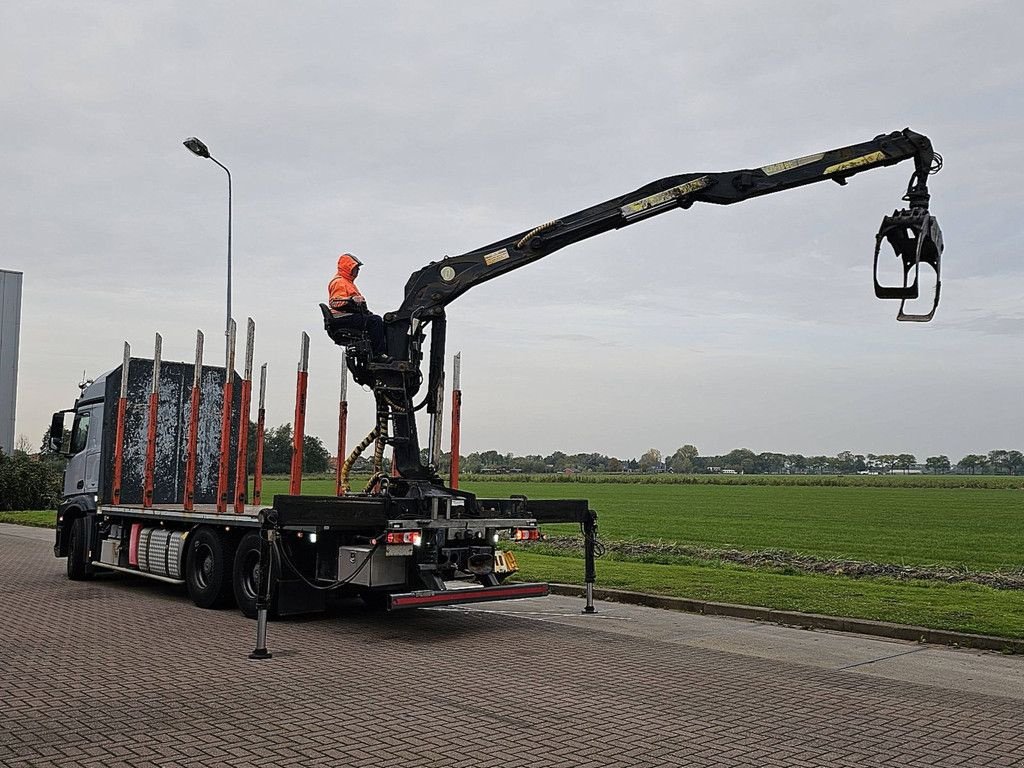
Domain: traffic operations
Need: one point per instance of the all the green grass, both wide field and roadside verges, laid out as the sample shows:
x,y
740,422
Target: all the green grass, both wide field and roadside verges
x,y
878,521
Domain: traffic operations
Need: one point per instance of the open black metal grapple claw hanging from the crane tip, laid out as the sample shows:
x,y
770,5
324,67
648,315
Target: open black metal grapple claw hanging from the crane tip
x,y
917,239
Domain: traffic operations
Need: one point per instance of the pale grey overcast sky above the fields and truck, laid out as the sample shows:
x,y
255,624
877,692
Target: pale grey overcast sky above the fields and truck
x,y
406,132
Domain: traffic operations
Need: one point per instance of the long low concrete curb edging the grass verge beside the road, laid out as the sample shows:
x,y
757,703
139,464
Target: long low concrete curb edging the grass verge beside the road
x,y
803,621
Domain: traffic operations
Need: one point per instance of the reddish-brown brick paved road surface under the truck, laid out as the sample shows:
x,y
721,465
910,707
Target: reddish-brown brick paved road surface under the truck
x,y
127,672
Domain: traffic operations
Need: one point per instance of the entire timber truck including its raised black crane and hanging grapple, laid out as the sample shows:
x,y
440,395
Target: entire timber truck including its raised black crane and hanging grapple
x,y
148,488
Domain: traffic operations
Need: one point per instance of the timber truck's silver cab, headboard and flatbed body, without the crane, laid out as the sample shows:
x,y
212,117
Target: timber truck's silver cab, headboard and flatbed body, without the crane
x,y
146,502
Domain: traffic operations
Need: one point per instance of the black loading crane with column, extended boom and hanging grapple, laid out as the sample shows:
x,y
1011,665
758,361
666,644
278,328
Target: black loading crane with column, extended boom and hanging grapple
x,y
913,233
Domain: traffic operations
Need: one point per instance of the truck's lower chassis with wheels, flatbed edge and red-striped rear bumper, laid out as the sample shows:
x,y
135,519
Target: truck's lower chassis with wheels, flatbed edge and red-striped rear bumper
x,y
382,549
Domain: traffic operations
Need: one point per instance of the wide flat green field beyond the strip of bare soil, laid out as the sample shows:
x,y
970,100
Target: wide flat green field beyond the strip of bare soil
x,y
983,530
